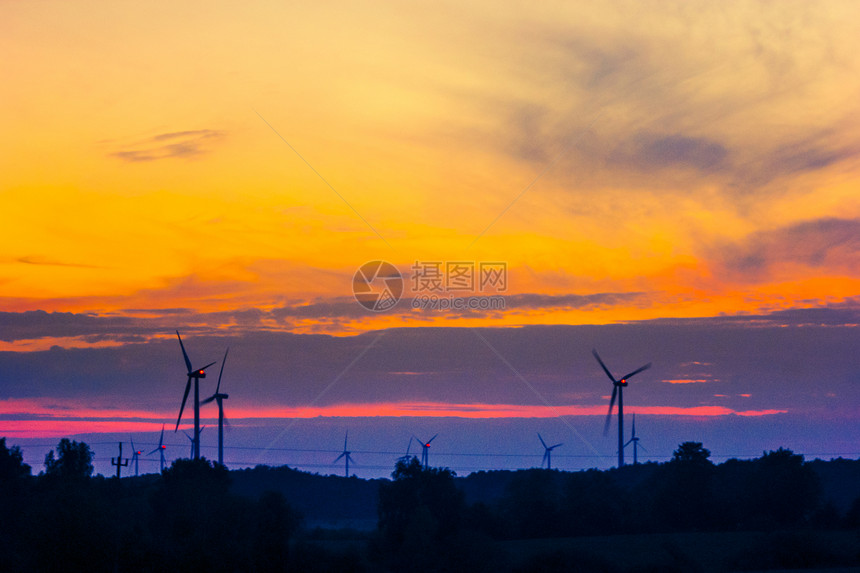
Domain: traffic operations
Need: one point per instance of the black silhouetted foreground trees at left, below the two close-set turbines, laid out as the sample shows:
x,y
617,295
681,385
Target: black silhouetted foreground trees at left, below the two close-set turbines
x,y
186,519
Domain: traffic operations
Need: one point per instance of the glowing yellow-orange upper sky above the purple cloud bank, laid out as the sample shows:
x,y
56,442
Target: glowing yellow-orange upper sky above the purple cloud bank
x,y
700,158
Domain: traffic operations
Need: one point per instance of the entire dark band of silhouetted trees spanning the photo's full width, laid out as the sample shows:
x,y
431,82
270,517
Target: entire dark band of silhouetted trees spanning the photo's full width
x,y
198,516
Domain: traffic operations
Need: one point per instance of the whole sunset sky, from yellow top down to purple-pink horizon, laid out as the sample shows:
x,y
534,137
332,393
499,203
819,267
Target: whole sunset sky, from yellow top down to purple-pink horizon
x,y
674,183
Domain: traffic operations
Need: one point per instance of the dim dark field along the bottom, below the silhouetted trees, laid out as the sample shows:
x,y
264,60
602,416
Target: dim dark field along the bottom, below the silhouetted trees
x,y
833,551
